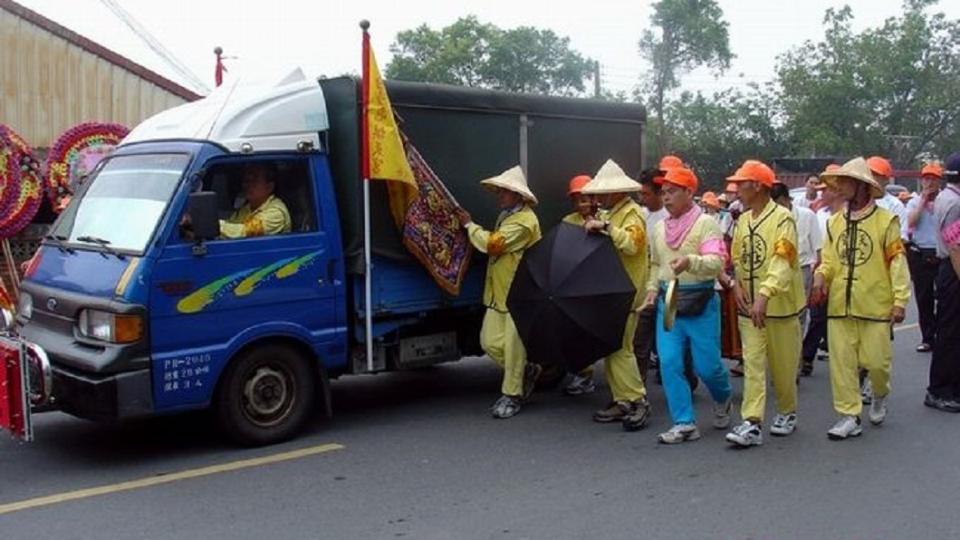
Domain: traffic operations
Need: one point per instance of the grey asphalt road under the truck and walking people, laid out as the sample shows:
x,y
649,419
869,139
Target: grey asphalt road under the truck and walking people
x,y
421,458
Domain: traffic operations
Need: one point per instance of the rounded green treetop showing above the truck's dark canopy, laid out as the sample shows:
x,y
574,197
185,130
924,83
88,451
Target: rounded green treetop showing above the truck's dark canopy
x,y
471,53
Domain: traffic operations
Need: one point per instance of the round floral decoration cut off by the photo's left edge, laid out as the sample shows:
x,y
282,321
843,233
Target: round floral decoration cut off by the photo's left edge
x,y
21,180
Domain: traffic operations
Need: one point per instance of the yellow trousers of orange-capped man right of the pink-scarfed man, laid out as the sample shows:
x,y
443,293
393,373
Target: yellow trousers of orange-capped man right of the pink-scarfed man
x,y
778,344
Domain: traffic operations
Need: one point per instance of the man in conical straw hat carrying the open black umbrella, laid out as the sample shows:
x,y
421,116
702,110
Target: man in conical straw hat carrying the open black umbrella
x,y
622,220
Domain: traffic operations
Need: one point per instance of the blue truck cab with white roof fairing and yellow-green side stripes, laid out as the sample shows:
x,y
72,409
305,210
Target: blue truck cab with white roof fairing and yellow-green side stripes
x,y
140,316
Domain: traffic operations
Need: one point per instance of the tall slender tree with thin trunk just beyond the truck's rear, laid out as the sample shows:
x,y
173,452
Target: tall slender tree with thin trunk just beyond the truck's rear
x,y
686,34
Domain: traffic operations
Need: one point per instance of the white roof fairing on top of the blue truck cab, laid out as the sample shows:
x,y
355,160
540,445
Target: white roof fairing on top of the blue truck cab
x,y
246,117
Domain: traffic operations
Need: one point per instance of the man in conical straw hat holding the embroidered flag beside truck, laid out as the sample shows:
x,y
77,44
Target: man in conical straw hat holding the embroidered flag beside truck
x,y
517,229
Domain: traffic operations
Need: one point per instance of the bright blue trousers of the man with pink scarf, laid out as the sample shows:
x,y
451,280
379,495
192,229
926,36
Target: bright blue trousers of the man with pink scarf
x,y
702,335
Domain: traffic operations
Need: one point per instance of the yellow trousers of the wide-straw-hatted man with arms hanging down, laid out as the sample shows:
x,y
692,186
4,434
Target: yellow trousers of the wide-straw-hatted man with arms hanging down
x,y
856,343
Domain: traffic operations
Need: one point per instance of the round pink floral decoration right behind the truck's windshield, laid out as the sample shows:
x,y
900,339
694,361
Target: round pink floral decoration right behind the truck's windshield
x,y
76,153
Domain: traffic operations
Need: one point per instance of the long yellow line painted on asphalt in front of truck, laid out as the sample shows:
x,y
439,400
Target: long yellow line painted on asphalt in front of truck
x,y
166,478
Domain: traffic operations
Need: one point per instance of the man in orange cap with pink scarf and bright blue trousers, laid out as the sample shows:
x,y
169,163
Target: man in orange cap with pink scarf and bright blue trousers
x,y
688,248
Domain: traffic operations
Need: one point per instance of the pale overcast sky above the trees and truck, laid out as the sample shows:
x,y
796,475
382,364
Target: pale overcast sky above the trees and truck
x,y
268,38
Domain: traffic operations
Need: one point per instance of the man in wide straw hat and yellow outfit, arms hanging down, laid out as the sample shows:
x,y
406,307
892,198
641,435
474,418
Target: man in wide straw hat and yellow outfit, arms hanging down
x,y
864,277
